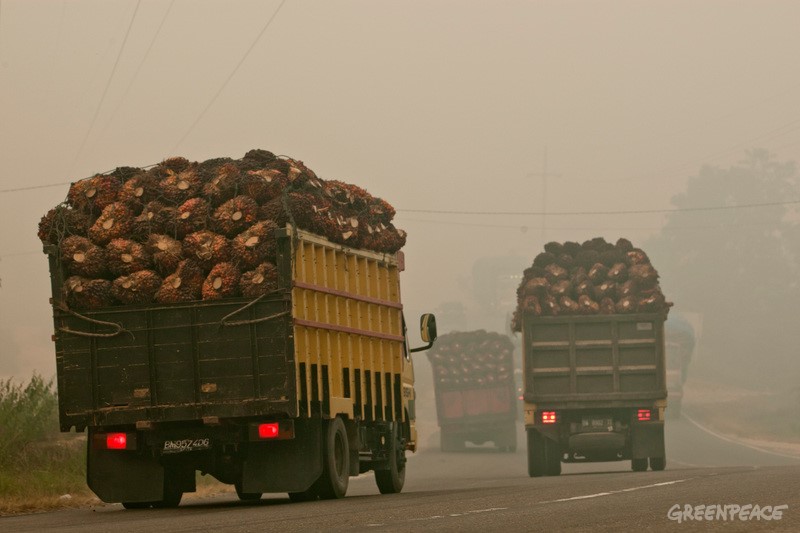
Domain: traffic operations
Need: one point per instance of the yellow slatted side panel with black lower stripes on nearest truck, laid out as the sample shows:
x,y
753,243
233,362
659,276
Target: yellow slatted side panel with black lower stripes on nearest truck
x,y
348,328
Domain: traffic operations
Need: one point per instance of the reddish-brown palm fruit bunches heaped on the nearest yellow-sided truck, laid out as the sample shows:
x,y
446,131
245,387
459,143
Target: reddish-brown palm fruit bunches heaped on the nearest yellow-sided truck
x,y
182,231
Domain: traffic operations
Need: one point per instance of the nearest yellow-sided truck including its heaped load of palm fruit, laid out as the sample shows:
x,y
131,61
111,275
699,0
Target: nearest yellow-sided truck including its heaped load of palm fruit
x,y
241,318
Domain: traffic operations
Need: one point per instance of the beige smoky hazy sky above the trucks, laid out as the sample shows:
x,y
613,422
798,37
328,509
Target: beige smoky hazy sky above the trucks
x,y
436,105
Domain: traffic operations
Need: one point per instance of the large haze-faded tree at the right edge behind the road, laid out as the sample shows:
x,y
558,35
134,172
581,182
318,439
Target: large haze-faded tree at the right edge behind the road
x,y
738,267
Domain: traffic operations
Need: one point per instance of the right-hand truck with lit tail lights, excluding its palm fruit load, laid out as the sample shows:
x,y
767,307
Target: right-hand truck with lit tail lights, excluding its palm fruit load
x,y
594,390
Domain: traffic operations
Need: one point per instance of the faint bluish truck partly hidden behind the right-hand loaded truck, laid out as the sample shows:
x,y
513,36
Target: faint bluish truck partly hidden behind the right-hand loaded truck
x,y
680,343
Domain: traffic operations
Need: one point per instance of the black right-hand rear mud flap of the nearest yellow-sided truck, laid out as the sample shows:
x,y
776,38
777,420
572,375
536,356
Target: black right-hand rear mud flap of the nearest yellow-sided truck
x,y
285,466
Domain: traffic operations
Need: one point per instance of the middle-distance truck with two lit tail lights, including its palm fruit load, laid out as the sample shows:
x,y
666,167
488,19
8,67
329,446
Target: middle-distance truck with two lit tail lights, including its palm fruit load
x,y
592,322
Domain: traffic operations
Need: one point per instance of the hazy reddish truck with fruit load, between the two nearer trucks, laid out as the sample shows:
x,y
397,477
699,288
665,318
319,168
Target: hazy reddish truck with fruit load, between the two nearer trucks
x,y
476,397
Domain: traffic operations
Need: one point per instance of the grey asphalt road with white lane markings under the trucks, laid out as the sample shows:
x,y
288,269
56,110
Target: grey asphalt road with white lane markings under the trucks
x,y
482,490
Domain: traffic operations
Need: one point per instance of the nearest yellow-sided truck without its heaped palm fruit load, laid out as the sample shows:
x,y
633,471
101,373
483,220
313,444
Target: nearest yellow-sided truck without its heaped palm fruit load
x,y
294,391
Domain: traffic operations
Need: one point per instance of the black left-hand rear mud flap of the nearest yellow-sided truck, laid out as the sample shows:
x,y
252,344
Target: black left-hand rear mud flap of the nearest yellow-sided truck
x,y
123,476
